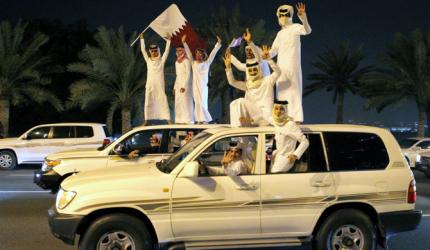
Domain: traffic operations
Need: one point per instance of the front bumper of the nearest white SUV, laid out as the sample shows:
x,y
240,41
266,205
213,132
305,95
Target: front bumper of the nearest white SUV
x,y
63,226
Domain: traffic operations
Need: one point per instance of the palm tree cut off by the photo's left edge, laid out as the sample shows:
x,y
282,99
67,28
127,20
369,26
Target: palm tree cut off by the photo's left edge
x,y
22,70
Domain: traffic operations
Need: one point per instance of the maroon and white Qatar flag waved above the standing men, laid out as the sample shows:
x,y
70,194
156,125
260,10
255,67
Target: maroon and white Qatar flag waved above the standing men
x,y
173,23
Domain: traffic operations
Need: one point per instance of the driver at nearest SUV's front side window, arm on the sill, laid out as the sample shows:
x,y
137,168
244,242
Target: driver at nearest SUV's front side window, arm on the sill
x,y
232,163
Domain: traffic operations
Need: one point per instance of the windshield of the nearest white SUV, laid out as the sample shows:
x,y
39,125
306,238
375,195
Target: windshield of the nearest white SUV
x,y
169,164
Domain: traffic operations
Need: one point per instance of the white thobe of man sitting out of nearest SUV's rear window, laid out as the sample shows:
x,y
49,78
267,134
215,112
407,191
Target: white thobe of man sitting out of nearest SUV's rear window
x,y
286,137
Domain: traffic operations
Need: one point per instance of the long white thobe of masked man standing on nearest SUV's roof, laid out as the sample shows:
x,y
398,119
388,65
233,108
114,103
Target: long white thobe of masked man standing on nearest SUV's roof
x,y
289,87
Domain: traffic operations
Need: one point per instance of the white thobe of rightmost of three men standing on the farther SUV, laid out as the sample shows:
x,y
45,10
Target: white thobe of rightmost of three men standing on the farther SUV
x,y
200,84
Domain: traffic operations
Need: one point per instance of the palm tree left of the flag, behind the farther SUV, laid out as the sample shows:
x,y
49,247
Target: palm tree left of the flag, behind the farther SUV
x,y
114,75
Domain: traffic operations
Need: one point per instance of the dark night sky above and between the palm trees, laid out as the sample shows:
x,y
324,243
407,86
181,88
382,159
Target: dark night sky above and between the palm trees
x,y
368,23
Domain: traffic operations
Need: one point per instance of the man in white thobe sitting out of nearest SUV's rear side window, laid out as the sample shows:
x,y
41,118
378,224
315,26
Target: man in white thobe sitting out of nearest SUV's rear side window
x,y
287,134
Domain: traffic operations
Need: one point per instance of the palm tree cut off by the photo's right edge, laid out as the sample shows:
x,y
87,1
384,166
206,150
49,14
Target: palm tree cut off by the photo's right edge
x,y
406,76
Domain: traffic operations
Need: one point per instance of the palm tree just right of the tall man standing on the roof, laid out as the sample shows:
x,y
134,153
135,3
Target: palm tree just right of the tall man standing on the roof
x,y
340,72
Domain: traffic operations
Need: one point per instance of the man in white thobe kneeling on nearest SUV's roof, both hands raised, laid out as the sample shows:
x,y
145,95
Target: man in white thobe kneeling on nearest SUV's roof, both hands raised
x,y
257,104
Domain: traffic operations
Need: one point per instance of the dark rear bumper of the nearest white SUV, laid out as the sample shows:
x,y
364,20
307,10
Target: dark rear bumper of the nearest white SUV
x,y
399,221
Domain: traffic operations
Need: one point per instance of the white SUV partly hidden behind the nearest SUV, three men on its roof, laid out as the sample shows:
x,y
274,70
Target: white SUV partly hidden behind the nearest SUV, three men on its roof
x,y
60,165
